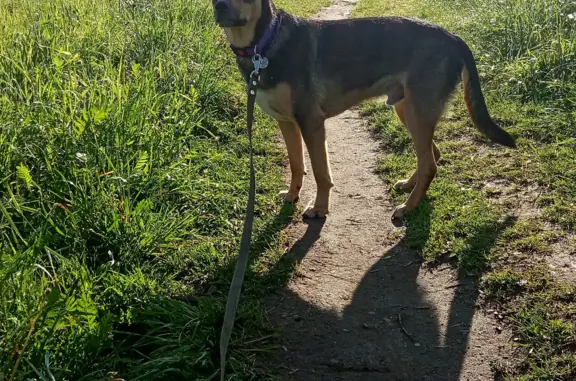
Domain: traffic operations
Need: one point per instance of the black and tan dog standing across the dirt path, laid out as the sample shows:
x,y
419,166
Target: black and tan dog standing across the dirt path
x,y
319,69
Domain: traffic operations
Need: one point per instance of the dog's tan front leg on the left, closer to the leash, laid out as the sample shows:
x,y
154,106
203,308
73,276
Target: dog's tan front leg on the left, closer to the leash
x,y
293,139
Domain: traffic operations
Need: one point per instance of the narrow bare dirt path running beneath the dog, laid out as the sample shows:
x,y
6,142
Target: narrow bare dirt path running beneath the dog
x,y
361,306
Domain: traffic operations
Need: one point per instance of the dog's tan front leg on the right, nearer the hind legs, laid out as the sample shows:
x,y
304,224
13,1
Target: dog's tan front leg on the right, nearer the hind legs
x,y
314,133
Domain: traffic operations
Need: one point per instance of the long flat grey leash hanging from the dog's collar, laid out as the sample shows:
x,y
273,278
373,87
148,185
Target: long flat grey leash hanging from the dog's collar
x,y
244,254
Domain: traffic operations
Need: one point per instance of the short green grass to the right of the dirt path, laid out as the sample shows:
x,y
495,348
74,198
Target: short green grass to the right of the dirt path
x,y
498,213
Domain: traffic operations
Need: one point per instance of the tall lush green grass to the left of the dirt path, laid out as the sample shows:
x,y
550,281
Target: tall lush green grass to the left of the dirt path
x,y
123,183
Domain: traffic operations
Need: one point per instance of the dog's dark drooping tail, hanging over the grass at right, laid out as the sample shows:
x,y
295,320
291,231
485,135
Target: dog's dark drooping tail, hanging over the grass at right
x,y
475,101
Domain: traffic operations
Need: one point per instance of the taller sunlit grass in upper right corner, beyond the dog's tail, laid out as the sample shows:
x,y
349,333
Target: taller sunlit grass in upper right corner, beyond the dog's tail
x,y
531,47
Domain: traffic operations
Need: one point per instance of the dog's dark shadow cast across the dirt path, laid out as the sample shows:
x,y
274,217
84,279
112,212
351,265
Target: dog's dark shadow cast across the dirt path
x,y
392,329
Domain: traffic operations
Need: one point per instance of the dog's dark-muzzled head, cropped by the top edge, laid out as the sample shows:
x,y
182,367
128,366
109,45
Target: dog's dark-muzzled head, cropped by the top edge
x,y
236,13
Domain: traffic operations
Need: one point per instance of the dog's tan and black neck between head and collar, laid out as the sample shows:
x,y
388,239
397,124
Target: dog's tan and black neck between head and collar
x,y
247,35
